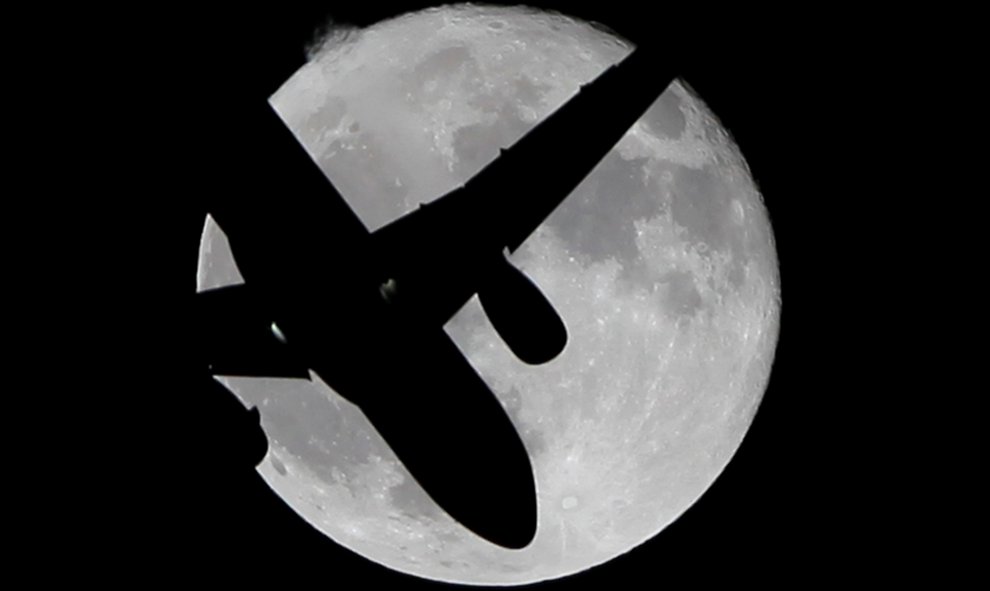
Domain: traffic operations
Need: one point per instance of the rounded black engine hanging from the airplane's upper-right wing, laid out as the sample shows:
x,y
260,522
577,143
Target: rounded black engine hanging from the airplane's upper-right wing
x,y
522,315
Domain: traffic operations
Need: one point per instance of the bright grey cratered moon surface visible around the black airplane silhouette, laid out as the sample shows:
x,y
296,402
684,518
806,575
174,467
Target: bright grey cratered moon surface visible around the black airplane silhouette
x,y
662,265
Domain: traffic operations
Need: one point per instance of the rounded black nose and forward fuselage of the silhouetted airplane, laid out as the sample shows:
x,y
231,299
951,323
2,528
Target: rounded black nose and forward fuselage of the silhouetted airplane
x,y
455,438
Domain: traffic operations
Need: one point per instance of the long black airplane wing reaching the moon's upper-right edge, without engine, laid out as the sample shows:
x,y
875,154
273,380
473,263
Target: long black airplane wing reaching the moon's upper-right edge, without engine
x,y
520,188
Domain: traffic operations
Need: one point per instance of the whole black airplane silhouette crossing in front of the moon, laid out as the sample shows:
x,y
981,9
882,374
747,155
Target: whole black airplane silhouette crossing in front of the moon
x,y
365,310
